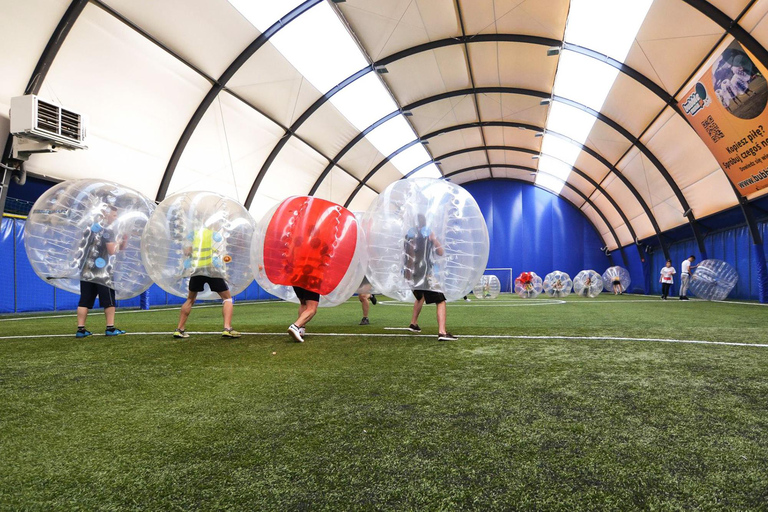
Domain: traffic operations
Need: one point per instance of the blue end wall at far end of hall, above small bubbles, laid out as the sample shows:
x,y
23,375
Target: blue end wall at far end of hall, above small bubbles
x,y
533,229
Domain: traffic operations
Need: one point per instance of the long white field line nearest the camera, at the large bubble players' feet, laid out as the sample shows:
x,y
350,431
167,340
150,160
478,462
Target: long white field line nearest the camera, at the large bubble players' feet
x,y
463,336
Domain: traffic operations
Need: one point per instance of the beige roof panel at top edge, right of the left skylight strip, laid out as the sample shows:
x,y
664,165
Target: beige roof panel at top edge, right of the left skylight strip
x,y
385,28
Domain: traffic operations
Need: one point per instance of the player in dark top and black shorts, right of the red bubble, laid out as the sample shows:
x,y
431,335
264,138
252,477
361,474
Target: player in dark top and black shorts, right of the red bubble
x,y
421,248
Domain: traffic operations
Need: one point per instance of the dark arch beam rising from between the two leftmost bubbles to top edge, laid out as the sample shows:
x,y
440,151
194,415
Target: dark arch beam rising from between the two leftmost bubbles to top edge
x,y
219,86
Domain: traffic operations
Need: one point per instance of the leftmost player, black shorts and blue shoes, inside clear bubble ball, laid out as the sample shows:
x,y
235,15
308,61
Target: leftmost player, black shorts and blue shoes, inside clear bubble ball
x,y
100,250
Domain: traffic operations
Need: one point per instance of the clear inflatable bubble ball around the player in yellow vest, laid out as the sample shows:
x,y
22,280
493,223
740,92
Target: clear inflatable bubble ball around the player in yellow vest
x,y
198,234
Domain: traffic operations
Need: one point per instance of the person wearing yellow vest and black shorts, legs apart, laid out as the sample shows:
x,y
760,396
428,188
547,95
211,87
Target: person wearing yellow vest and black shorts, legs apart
x,y
201,260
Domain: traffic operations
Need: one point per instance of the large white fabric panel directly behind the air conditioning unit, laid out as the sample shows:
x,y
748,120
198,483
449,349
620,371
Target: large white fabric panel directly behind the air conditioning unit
x,y
138,98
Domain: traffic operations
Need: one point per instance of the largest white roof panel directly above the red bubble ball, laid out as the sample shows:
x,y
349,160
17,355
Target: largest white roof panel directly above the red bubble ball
x,y
293,172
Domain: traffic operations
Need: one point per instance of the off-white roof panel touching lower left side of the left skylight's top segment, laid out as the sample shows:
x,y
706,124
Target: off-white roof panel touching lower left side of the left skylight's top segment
x,y
269,82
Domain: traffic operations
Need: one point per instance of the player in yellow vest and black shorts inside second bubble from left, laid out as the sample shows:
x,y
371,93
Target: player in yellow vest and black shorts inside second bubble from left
x,y
205,265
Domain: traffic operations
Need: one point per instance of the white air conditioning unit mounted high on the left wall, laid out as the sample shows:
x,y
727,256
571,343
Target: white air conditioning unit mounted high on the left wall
x,y
48,123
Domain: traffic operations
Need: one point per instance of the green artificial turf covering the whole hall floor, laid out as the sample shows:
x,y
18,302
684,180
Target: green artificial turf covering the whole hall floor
x,y
391,421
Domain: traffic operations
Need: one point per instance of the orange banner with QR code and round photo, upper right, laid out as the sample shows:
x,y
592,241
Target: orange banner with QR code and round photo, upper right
x,y
726,107
